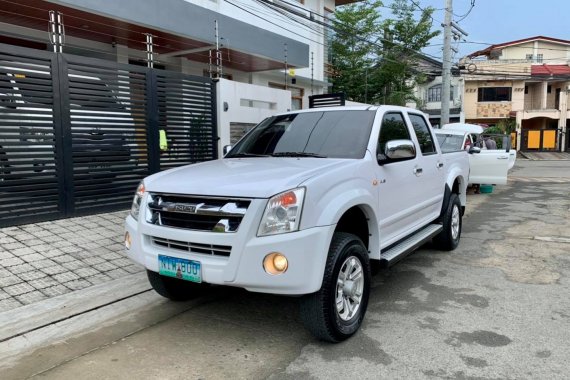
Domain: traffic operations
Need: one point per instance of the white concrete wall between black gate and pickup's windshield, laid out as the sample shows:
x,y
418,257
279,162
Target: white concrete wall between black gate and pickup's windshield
x,y
246,104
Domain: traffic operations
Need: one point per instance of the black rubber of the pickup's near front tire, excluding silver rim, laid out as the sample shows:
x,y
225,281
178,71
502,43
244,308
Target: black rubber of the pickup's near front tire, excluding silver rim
x,y
318,310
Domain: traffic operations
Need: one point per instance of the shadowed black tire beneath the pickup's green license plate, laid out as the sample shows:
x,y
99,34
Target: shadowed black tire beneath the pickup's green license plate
x,y
175,289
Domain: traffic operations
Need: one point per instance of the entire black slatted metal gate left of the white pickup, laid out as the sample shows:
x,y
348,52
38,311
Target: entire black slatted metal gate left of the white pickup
x,y
78,134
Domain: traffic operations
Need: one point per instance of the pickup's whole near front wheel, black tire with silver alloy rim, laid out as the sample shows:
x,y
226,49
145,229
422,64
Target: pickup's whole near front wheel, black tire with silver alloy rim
x,y
336,311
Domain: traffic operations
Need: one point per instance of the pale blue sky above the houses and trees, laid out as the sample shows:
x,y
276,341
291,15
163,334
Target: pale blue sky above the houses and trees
x,y
497,21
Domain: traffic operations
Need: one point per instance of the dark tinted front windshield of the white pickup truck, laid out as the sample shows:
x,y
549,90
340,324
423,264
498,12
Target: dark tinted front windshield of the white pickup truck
x,y
334,134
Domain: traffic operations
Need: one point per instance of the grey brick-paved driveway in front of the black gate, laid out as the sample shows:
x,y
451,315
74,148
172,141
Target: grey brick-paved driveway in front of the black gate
x,y
47,259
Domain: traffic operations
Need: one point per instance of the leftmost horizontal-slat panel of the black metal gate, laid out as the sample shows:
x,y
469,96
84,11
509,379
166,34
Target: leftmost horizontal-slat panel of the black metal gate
x,y
30,180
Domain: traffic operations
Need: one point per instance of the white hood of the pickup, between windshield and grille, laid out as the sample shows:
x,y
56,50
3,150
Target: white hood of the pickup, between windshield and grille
x,y
241,177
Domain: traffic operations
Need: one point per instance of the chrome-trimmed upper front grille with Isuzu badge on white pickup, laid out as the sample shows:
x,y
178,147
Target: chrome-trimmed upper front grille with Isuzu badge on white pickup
x,y
197,213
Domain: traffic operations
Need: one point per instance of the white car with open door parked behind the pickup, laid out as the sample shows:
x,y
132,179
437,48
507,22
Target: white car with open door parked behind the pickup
x,y
488,166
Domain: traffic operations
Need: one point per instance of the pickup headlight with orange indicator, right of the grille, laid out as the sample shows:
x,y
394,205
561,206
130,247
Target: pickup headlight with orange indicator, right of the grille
x,y
283,213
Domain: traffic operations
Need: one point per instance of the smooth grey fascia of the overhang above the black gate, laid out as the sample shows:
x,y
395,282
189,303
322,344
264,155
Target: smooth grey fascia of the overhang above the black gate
x,y
186,19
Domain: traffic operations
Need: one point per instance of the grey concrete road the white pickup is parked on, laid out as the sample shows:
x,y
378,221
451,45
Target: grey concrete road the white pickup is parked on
x,y
496,308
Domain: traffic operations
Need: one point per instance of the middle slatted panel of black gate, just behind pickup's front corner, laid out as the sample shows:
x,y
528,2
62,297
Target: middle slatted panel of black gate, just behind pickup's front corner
x,y
108,129
